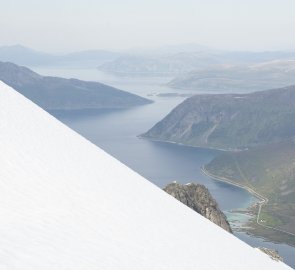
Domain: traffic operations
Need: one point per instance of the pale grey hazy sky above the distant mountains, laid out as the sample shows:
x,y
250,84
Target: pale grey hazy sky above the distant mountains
x,y
68,25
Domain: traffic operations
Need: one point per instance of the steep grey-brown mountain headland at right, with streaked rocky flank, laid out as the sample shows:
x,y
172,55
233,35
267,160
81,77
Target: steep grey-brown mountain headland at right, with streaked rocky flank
x,y
230,121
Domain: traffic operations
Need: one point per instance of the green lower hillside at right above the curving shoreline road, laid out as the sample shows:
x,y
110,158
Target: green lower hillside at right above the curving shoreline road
x,y
269,170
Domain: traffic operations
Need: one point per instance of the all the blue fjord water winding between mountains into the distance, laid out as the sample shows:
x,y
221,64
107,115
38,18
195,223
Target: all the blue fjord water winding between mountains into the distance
x,y
116,132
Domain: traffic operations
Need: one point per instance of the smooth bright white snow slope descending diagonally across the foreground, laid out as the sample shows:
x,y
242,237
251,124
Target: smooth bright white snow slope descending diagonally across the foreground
x,y
66,204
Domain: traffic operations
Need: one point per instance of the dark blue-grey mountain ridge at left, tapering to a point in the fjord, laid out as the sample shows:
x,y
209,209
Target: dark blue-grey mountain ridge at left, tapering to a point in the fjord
x,y
53,93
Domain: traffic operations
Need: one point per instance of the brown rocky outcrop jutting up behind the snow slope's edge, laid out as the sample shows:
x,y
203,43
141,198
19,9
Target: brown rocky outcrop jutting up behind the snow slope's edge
x,y
198,198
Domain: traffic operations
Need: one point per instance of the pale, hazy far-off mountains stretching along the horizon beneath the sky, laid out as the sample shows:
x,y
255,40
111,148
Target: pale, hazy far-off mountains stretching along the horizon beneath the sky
x,y
193,67
